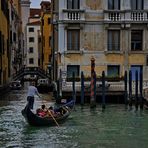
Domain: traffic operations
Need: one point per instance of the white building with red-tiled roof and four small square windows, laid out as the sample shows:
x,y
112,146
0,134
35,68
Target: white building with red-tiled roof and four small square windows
x,y
33,38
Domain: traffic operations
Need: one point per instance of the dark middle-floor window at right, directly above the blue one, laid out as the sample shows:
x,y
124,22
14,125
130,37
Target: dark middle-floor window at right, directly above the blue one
x,y
136,40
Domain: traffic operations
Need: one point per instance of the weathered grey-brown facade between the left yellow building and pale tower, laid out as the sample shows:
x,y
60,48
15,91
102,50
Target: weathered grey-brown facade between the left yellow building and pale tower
x,y
16,38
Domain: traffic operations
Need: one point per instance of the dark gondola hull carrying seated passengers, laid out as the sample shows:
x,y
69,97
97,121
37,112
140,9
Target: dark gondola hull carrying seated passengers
x,y
35,120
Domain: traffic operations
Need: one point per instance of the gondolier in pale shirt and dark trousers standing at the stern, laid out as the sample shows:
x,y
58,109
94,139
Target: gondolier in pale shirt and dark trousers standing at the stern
x,y
32,91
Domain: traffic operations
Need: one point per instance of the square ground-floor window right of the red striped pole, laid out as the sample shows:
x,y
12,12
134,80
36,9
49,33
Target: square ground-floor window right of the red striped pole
x,y
113,70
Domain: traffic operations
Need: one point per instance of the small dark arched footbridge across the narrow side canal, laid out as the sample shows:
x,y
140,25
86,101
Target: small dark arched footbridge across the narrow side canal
x,y
30,71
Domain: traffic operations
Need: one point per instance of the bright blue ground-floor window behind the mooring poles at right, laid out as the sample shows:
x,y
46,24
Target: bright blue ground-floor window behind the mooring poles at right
x,y
135,68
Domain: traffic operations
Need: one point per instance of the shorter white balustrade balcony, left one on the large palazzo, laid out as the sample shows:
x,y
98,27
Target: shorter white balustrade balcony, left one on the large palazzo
x,y
73,15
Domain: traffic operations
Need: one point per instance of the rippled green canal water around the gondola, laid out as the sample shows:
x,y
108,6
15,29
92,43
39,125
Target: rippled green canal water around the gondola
x,y
116,127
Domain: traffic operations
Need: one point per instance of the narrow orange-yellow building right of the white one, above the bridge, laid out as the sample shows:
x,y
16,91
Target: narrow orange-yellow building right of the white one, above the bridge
x,y
46,33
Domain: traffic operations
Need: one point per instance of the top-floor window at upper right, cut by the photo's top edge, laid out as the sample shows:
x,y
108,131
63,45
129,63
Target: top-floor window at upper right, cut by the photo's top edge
x,y
137,4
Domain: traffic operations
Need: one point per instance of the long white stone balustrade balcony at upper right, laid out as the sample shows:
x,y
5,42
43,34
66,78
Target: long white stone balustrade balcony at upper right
x,y
127,16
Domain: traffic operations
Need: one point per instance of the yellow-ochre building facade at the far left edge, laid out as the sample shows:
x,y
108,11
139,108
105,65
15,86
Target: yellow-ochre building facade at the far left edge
x,y
4,42
